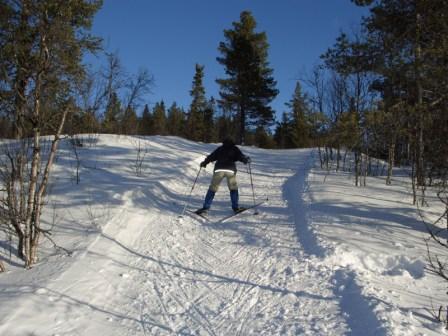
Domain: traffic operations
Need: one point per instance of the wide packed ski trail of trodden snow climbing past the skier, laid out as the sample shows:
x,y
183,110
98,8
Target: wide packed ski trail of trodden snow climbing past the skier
x,y
248,276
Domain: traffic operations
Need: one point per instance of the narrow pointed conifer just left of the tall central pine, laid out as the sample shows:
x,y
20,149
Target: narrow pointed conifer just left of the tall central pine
x,y
198,107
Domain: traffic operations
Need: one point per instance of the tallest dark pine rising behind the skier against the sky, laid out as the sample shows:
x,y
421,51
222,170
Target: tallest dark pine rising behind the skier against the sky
x,y
249,86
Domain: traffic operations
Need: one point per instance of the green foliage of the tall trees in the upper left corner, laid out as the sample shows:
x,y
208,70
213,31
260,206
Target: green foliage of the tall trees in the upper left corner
x,y
42,44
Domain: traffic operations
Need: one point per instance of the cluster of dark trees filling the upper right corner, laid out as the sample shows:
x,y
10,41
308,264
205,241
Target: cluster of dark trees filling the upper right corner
x,y
401,55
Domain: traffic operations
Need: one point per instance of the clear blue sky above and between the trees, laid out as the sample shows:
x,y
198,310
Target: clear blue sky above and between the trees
x,y
168,37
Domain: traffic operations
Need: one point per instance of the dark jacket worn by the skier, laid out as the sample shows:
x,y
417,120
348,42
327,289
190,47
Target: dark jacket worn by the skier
x,y
226,156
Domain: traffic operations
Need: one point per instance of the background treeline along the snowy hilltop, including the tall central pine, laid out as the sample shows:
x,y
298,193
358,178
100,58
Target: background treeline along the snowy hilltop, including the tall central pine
x,y
109,100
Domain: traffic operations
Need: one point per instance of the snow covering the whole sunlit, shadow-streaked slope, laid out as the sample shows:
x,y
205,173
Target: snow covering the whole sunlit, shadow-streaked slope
x,y
322,257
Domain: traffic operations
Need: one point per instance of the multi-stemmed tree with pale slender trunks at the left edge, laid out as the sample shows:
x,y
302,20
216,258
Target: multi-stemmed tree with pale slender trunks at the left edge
x,y
45,43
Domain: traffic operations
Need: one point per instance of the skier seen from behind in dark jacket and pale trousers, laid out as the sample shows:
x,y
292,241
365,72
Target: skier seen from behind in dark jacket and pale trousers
x,y
225,156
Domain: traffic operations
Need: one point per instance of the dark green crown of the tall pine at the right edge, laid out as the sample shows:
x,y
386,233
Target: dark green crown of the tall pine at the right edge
x,y
410,40
